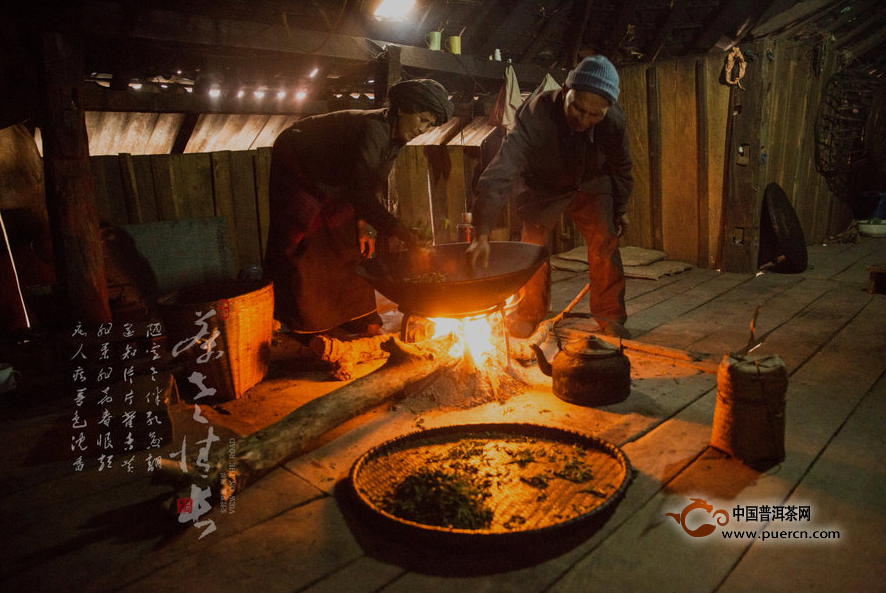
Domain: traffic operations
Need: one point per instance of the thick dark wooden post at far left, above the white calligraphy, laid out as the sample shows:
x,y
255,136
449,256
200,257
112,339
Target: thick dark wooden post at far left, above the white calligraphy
x,y
70,188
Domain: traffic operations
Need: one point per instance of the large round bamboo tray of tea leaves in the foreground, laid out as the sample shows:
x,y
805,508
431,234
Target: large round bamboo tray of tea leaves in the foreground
x,y
536,480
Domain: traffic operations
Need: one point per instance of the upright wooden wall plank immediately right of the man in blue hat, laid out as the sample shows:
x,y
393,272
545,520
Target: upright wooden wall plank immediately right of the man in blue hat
x,y
633,101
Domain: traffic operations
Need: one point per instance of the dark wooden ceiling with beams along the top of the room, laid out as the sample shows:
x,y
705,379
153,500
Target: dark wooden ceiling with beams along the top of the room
x,y
178,49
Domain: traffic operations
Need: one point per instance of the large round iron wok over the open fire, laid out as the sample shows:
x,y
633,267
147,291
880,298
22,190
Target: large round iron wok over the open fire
x,y
438,282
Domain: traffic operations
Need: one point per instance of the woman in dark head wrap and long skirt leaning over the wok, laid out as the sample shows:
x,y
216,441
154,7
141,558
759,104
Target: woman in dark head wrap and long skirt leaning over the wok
x,y
327,173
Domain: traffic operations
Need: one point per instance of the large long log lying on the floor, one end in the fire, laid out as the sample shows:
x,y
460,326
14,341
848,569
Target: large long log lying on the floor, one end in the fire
x,y
262,451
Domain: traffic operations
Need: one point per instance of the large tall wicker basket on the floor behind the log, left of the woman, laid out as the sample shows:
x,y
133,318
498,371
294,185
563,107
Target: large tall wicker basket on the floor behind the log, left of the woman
x,y
238,359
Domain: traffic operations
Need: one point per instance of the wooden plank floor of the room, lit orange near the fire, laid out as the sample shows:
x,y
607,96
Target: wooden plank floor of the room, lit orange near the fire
x,y
293,530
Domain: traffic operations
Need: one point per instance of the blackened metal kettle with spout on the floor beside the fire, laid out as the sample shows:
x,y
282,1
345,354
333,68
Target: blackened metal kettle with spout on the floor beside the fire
x,y
588,372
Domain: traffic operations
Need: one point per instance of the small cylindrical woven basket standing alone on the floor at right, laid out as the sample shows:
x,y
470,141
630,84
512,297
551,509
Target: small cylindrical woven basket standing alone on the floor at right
x,y
749,417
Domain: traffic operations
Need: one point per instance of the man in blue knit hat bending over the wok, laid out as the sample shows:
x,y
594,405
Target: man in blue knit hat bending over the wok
x,y
568,152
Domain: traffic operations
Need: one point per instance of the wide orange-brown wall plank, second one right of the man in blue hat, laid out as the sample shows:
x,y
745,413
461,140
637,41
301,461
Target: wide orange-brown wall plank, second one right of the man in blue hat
x,y
679,163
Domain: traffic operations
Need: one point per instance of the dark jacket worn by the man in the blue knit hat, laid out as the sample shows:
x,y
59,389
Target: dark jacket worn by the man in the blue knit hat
x,y
550,162
